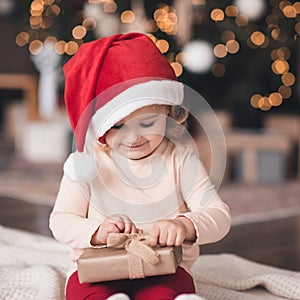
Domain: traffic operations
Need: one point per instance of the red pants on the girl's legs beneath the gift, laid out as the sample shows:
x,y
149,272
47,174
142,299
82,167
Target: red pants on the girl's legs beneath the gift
x,y
158,287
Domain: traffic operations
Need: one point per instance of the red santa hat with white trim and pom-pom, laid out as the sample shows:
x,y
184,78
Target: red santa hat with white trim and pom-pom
x,y
105,81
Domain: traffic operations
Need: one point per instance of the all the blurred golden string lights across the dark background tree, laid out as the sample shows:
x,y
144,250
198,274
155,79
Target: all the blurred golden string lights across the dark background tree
x,y
162,27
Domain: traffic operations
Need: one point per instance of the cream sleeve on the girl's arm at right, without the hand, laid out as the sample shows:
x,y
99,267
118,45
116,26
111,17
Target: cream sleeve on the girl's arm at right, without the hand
x,y
206,210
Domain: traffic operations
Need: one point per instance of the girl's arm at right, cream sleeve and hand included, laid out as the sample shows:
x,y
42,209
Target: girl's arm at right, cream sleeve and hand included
x,y
207,218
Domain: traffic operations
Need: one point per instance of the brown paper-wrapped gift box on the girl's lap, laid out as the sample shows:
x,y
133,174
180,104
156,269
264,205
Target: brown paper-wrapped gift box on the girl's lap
x,y
96,265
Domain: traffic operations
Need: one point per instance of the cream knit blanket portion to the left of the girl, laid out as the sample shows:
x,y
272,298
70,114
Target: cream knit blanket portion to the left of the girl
x,y
32,267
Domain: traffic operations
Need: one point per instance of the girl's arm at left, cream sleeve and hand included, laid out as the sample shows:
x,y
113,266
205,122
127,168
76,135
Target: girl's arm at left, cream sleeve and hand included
x,y
71,225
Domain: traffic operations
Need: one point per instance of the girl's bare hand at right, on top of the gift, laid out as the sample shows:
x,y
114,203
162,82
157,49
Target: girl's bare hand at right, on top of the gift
x,y
172,232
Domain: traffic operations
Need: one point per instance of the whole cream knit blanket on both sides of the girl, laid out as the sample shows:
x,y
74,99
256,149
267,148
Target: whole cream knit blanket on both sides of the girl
x,y
33,267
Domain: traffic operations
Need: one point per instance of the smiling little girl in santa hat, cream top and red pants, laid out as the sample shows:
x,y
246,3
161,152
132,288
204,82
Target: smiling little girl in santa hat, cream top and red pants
x,y
129,172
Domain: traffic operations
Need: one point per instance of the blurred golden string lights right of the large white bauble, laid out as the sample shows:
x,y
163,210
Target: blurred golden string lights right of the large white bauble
x,y
258,37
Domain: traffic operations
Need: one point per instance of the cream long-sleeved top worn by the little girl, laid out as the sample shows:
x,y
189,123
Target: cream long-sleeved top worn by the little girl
x,y
170,182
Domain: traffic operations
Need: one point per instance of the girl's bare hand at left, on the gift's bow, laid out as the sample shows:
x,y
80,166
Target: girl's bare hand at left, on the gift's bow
x,y
114,223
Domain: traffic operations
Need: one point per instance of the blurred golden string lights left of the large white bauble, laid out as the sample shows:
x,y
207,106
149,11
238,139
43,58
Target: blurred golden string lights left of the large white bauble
x,y
43,14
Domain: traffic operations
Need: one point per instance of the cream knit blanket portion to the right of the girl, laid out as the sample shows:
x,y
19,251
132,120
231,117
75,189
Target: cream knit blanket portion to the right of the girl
x,y
230,277
